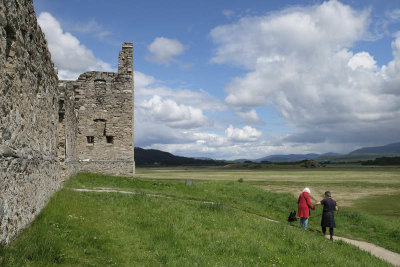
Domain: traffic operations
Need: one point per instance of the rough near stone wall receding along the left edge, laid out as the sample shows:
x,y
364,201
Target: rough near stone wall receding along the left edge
x,y
29,168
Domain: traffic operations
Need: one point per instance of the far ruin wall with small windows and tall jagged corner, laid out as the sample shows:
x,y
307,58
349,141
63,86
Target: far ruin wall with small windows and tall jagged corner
x,y
103,102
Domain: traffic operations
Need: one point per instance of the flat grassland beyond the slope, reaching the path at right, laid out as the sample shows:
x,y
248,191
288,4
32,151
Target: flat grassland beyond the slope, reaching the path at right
x,y
367,195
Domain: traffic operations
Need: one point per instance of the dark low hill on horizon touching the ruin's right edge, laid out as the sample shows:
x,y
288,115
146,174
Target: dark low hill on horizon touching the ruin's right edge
x,y
153,157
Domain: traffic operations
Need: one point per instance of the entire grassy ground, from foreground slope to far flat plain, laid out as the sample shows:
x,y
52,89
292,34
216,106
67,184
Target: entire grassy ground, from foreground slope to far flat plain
x,y
167,223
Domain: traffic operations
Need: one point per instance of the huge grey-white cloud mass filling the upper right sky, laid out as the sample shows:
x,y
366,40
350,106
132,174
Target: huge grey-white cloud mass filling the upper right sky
x,y
300,64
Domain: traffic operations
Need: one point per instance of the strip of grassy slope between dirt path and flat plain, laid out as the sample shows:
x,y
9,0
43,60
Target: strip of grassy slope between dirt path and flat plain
x,y
381,231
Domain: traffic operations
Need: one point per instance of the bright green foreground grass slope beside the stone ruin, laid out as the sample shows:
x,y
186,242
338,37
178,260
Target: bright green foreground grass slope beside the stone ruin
x,y
113,229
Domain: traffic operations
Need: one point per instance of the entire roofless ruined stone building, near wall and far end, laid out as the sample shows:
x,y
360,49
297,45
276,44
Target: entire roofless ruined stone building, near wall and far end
x,y
51,129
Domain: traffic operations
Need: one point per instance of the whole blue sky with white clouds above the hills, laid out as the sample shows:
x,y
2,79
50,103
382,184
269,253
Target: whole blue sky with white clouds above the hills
x,y
242,79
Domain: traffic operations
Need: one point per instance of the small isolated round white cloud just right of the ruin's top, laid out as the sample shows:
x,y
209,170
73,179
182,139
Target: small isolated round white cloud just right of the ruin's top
x,y
163,50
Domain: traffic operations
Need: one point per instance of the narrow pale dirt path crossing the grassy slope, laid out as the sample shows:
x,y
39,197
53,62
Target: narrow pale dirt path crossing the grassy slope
x,y
382,253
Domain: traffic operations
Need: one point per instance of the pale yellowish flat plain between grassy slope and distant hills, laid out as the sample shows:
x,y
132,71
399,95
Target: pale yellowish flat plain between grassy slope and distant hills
x,y
348,183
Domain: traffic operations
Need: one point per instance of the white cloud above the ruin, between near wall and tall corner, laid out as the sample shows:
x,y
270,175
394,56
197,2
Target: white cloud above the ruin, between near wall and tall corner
x,y
69,55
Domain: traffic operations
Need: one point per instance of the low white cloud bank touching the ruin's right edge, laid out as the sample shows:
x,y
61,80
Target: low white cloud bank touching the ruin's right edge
x,y
171,117
